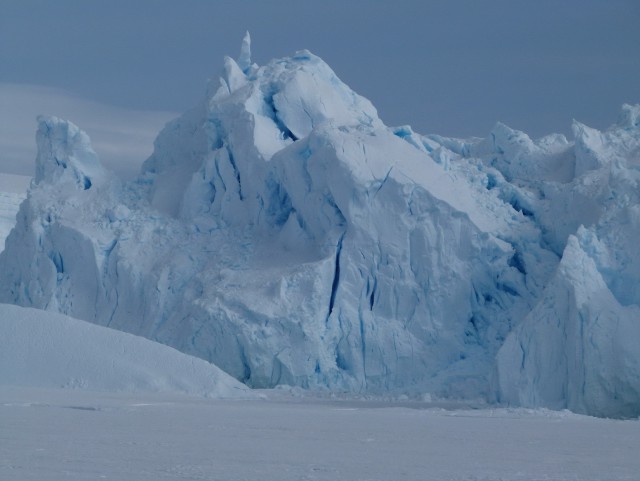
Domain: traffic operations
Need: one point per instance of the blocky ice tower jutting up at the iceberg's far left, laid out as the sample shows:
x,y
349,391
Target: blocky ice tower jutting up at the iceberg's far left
x,y
64,151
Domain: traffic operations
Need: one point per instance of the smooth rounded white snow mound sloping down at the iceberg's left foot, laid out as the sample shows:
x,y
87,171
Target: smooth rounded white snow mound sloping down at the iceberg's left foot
x,y
47,350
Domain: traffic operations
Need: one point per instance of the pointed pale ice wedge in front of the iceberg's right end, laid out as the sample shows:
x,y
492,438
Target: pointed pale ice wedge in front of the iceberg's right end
x,y
577,348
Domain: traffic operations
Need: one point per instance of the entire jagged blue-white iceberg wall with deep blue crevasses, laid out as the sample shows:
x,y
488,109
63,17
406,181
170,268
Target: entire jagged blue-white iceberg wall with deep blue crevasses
x,y
281,231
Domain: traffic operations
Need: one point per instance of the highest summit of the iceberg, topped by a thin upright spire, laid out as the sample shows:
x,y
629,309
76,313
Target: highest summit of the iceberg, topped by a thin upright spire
x,y
284,100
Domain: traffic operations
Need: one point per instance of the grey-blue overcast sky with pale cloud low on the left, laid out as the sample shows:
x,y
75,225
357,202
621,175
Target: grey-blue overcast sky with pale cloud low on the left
x,y
451,67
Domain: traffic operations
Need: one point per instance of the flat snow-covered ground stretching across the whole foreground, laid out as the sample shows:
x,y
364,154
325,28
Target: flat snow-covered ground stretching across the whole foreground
x,y
48,435
